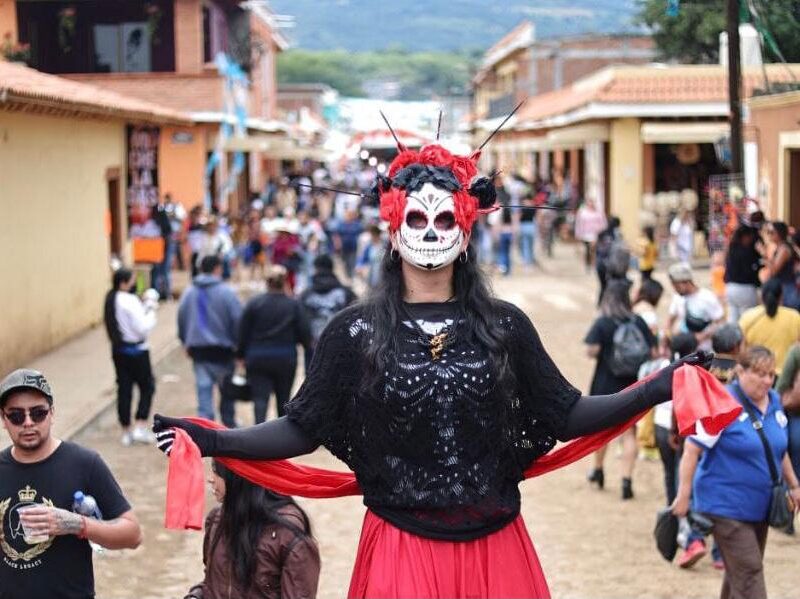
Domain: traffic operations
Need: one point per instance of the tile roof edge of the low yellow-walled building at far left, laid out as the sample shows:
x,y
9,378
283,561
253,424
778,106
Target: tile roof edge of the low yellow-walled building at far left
x,y
25,86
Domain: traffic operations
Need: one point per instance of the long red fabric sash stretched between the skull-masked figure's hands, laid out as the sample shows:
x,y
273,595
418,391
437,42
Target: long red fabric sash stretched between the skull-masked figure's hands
x,y
698,396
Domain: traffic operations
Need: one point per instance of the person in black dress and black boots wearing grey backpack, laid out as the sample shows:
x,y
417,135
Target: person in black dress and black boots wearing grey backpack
x,y
621,342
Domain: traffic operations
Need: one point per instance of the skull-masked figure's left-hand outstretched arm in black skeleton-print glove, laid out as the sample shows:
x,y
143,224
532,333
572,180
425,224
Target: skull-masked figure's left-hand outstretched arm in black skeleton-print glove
x,y
272,440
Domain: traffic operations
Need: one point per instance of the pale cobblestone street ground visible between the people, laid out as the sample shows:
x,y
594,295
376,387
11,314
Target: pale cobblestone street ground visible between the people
x,y
591,544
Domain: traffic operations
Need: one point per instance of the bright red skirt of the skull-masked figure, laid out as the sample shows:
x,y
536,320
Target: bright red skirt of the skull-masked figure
x,y
393,563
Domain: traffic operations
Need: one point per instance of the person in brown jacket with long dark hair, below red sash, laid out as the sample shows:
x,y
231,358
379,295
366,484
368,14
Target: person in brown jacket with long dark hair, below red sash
x,y
271,556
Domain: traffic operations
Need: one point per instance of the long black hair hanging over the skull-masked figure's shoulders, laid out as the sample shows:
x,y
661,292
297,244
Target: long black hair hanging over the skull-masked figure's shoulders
x,y
383,311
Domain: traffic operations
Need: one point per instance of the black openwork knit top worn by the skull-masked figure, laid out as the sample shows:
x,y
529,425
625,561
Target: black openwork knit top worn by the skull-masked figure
x,y
441,451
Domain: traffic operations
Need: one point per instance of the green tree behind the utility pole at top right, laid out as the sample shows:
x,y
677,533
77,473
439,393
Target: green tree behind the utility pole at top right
x,y
693,35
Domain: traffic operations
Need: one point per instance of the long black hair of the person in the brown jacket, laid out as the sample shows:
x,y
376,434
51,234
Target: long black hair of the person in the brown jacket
x,y
247,509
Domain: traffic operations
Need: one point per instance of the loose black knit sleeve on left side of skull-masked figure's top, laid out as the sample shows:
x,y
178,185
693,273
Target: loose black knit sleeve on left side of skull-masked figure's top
x,y
323,403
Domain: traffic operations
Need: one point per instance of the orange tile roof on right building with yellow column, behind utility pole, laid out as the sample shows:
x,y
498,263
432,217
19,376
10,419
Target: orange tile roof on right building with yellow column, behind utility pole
x,y
648,84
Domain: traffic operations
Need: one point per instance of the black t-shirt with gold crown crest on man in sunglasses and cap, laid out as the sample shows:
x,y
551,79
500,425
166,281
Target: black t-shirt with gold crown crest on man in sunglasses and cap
x,y
60,568
